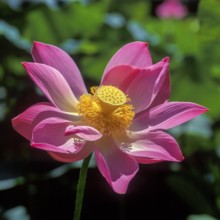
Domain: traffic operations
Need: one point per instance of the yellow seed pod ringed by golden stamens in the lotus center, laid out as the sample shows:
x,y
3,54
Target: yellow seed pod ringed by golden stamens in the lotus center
x,y
106,109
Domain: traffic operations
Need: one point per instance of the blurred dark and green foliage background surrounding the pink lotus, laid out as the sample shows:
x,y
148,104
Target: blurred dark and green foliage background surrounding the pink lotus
x,y
33,186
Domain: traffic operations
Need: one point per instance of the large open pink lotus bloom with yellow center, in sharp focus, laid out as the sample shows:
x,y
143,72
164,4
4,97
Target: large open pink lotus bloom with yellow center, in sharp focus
x,y
122,121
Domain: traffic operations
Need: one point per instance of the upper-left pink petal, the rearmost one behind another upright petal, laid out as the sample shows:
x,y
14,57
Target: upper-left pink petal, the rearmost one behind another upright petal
x,y
60,60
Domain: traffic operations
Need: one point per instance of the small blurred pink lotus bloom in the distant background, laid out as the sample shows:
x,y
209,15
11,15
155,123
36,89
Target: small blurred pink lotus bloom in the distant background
x,y
171,9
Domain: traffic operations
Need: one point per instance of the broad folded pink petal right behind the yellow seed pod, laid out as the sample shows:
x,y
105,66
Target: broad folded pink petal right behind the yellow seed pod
x,y
141,85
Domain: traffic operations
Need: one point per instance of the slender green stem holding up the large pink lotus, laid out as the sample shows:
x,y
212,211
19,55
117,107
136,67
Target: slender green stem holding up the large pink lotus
x,y
80,188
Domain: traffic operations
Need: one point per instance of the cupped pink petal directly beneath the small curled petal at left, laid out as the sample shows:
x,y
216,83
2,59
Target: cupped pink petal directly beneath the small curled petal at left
x,y
49,135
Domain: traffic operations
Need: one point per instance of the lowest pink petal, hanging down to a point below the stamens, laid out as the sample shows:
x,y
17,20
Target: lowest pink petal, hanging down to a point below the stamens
x,y
117,167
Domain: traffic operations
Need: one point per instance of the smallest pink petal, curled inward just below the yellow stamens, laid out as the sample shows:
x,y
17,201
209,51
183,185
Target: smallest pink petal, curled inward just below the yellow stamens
x,y
84,132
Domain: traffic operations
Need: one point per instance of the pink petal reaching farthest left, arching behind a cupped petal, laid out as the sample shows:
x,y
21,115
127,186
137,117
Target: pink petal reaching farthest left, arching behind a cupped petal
x,y
26,121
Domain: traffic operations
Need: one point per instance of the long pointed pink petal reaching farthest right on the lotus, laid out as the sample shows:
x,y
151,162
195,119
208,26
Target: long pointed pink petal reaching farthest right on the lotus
x,y
167,115
